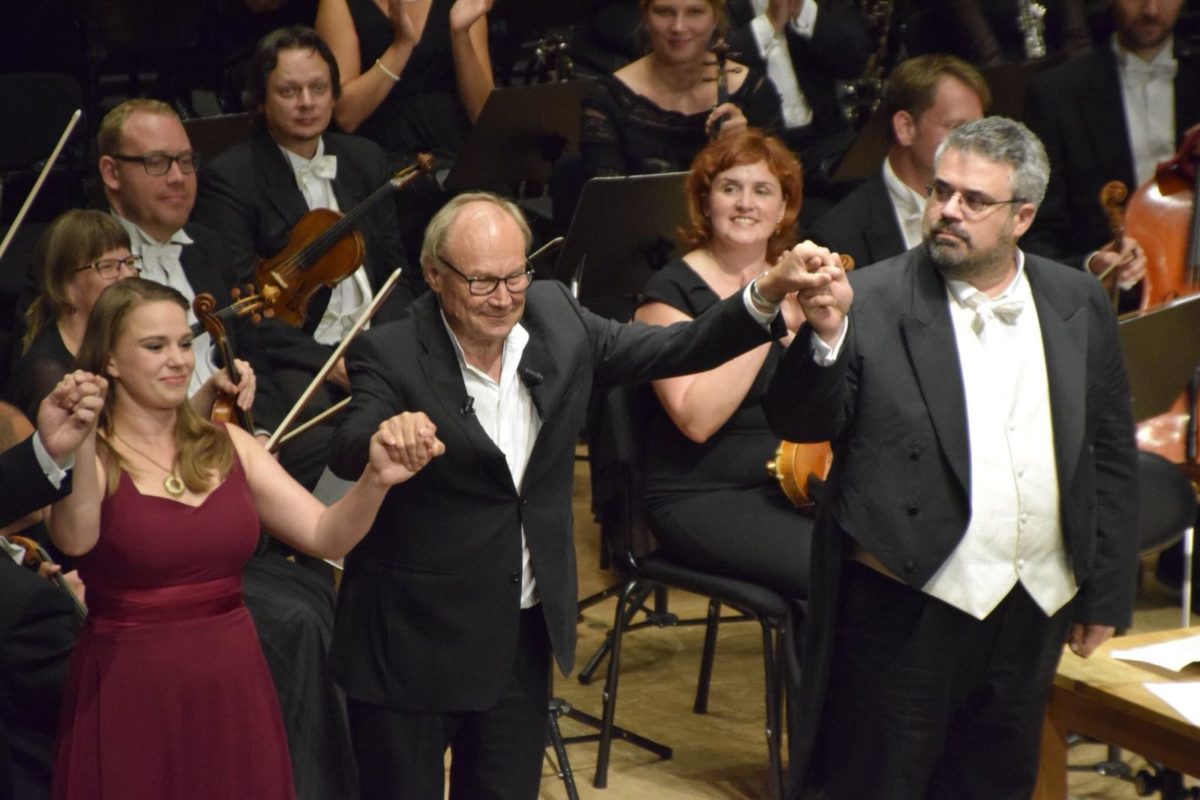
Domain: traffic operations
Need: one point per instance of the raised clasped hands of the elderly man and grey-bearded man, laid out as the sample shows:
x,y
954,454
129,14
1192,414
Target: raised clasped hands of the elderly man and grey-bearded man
x,y
819,282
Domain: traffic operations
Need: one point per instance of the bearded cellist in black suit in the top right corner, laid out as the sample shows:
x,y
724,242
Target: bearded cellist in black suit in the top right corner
x,y
1113,115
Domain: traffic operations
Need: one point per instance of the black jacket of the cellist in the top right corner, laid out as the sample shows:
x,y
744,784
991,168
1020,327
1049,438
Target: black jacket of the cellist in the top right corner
x,y
1078,112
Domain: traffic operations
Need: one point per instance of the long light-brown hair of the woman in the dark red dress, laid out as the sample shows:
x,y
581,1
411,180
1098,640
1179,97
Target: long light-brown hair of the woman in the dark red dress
x,y
202,449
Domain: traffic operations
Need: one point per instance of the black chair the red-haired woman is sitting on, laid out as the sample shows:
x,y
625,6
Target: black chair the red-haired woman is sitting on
x,y
629,540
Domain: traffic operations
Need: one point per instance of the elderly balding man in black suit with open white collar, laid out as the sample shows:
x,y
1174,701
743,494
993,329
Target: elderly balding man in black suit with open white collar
x,y
454,603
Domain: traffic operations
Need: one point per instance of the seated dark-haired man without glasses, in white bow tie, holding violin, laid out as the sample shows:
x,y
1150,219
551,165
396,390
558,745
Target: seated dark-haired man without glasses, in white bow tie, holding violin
x,y
257,191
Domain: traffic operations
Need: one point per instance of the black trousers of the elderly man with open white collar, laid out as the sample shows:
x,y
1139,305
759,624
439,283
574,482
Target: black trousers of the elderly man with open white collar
x,y
495,754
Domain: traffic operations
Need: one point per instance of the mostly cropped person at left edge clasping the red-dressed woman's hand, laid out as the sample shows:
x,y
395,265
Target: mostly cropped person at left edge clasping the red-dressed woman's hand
x,y
38,621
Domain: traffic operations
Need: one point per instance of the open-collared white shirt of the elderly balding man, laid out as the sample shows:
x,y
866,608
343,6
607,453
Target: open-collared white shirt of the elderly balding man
x,y
509,418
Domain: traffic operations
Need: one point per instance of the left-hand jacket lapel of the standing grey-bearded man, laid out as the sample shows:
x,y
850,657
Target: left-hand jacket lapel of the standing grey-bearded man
x,y
934,354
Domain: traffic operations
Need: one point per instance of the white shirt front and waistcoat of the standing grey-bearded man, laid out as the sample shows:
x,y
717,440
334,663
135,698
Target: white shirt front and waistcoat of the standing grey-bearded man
x,y
1016,530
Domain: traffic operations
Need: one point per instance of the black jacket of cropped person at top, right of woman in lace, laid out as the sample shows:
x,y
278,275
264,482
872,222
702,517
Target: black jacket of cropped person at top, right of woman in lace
x,y
838,51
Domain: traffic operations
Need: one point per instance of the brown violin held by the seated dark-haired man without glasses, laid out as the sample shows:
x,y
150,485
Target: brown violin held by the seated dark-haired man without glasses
x,y
323,248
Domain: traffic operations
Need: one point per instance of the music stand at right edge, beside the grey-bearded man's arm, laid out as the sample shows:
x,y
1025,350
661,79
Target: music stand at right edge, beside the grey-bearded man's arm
x,y
1162,352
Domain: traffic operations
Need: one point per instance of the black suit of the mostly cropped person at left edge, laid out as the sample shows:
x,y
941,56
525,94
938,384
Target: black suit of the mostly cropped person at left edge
x,y
38,630
